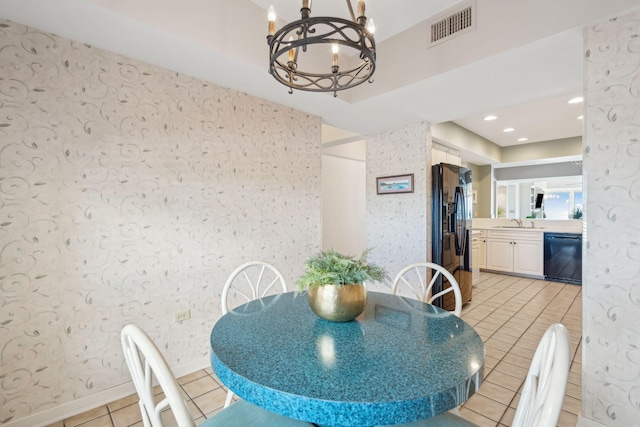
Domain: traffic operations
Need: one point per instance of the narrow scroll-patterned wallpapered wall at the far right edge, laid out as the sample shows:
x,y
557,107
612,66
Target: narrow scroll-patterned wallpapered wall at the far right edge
x,y
611,285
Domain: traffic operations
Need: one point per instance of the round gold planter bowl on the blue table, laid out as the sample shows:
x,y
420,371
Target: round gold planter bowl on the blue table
x,y
338,303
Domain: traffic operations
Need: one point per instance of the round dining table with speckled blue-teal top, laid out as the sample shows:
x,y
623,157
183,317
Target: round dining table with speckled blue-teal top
x,y
401,360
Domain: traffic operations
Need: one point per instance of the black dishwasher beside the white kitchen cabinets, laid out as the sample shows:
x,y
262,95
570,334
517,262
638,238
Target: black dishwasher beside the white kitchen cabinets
x,y
563,257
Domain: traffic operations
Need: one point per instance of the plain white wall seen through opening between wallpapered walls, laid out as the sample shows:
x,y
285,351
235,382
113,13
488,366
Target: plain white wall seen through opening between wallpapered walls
x,y
344,205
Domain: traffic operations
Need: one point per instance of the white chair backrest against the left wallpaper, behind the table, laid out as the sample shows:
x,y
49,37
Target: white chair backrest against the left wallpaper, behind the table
x,y
250,281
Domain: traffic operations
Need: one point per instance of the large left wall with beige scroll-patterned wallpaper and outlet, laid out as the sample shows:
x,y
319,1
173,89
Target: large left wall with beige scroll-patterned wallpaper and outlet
x,y
129,192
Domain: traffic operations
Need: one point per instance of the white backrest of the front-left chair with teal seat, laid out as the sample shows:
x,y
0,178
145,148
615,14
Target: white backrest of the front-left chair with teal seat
x,y
146,366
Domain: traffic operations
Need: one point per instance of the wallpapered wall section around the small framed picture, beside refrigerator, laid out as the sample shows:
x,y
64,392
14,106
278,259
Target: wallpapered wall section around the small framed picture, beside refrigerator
x,y
397,224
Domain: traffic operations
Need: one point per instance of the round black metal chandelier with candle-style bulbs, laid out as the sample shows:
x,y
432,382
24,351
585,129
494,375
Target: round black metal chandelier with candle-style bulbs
x,y
299,52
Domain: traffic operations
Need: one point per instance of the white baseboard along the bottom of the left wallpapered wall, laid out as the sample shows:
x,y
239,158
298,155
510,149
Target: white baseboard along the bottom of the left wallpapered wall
x,y
84,404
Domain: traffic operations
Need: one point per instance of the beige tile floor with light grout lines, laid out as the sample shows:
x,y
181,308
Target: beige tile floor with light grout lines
x,y
510,314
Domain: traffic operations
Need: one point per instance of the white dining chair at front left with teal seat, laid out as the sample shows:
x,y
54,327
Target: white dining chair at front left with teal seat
x,y
147,366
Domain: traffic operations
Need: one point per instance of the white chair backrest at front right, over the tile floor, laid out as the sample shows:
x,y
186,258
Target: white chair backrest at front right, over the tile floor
x,y
543,391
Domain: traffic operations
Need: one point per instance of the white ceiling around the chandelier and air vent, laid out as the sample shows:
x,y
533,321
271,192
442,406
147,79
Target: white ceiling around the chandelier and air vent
x,y
522,62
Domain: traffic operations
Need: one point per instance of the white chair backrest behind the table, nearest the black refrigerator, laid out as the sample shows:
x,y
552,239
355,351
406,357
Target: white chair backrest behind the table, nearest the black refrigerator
x,y
418,279
